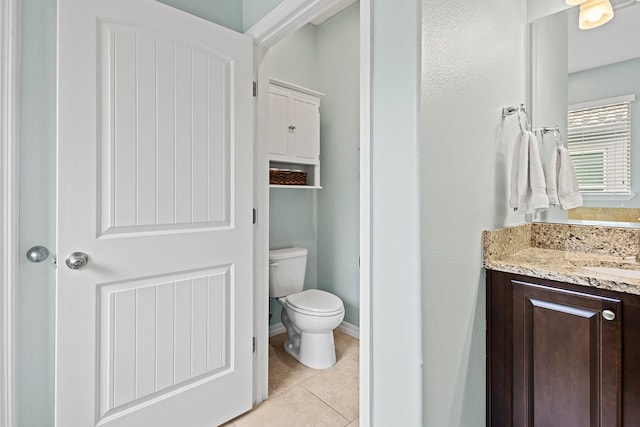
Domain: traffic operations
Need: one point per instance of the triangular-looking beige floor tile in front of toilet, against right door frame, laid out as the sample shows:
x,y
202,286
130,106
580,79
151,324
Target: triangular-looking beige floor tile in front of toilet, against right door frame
x,y
338,387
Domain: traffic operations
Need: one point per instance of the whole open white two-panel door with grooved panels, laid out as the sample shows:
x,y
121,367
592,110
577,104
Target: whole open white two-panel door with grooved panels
x,y
155,186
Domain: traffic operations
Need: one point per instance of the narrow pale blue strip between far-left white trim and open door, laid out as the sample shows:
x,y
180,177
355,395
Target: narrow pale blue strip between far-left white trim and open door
x,y
36,289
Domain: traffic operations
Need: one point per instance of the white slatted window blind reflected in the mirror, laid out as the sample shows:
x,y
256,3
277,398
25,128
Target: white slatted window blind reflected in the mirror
x,y
599,141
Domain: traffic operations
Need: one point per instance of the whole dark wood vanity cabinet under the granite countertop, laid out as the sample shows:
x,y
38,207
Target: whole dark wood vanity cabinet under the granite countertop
x,y
560,354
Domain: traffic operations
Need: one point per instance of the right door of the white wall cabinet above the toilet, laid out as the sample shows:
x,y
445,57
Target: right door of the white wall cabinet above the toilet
x,y
306,116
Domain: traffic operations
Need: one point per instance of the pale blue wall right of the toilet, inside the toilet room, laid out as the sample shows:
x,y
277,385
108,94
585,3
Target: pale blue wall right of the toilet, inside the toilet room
x,y
338,56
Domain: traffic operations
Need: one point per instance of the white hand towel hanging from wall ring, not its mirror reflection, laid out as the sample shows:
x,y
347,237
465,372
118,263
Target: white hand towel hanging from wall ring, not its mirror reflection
x,y
528,188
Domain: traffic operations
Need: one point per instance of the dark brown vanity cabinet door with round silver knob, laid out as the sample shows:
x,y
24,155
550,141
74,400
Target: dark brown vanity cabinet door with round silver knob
x,y
566,358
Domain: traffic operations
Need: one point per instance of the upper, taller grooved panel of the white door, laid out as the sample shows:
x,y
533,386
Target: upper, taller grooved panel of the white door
x,y
162,179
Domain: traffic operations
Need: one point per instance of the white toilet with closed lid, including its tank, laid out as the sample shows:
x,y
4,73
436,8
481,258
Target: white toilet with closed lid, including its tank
x,y
309,316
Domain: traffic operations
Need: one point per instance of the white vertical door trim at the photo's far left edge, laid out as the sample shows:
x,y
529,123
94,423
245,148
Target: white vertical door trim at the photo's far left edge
x,y
9,198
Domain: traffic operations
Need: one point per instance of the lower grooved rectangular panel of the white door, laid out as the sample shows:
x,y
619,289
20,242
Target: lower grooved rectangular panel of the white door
x,y
158,333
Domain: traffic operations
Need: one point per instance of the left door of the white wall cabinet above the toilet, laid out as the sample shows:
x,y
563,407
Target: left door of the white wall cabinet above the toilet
x,y
279,131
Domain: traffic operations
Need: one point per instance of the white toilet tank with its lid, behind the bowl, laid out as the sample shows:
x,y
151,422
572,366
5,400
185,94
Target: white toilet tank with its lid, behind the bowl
x,y
286,271
